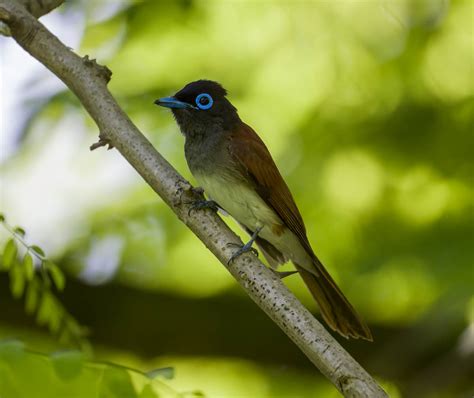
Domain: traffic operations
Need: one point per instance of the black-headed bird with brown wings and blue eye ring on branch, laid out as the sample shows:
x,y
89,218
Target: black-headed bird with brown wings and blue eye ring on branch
x,y
235,169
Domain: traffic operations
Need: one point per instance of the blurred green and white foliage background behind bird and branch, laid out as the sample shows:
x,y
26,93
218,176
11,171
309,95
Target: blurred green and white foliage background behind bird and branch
x,y
367,107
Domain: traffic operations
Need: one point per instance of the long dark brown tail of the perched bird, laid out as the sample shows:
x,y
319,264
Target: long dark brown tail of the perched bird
x,y
335,308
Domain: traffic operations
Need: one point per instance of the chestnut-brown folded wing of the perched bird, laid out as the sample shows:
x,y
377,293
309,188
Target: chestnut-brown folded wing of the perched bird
x,y
250,152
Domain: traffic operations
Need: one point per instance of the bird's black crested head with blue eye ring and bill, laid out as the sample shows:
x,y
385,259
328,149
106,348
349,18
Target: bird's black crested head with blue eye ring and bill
x,y
200,107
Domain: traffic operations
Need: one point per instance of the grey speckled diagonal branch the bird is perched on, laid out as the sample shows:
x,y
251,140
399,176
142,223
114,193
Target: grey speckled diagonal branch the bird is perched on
x,y
88,81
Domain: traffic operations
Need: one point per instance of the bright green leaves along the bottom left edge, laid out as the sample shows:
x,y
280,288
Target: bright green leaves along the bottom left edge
x,y
26,373
